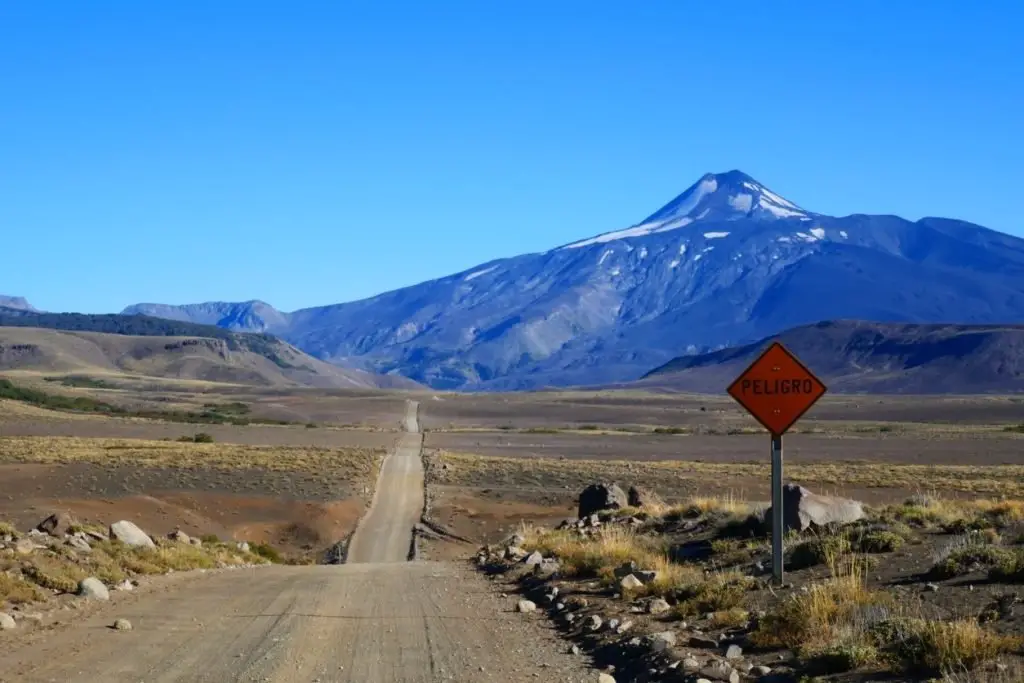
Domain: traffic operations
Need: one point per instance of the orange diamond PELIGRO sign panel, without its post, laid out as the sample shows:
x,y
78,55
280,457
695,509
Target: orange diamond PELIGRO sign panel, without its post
x,y
778,390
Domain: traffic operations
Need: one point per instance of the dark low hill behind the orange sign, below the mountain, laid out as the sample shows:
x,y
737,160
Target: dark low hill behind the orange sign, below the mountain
x,y
856,357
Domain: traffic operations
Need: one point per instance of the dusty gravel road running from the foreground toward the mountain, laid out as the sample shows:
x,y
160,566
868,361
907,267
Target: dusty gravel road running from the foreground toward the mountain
x,y
388,622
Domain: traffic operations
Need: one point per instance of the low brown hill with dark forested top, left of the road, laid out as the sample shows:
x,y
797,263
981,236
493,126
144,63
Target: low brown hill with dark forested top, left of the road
x,y
139,345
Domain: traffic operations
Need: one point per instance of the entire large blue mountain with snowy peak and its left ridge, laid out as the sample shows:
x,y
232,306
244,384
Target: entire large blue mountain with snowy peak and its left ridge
x,y
727,263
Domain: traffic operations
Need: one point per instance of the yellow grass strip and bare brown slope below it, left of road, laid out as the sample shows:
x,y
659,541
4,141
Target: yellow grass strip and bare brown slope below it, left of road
x,y
298,499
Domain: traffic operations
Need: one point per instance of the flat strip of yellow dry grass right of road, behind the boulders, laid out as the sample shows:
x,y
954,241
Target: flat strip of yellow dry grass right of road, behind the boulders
x,y
994,482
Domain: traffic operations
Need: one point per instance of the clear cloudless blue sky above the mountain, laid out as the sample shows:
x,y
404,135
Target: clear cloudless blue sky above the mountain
x,y
313,153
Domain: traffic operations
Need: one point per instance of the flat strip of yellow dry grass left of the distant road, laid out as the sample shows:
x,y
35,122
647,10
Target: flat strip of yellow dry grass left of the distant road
x,y
138,453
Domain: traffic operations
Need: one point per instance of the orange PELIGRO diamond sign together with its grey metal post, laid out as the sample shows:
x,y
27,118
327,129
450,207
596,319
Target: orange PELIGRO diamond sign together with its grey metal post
x,y
777,391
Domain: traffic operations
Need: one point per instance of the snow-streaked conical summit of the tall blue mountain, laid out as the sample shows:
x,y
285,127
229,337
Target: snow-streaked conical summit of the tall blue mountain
x,y
715,198
